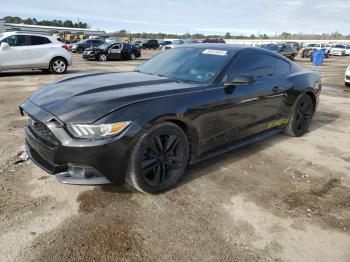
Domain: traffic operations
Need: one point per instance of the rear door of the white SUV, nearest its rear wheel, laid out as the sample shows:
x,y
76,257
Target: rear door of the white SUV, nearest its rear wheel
x,y
40,51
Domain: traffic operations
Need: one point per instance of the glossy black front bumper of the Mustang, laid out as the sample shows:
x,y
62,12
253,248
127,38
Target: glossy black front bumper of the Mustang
x,y
78,161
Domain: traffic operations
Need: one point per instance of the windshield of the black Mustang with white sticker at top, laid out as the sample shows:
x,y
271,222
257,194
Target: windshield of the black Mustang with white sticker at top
x,y
195,65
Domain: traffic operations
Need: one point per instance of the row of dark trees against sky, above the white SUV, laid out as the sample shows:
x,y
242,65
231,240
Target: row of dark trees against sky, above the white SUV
x,y
34,21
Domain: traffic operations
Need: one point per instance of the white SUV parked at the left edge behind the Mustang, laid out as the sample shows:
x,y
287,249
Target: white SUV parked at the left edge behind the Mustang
x,y
31,51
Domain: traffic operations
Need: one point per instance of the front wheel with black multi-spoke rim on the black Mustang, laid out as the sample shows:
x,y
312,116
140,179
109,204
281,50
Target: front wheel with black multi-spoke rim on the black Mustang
x,y
158,159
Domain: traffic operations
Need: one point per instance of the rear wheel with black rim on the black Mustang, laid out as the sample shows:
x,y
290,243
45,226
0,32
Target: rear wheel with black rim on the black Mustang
x,y
301,116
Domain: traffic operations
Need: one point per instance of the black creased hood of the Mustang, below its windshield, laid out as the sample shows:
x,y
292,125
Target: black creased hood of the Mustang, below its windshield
x,y
85,98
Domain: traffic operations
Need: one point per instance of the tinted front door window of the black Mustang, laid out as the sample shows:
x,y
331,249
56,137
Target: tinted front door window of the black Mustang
x,y
256,65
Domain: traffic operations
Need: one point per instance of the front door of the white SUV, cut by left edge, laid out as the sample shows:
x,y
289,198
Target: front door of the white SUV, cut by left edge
x,y
17,54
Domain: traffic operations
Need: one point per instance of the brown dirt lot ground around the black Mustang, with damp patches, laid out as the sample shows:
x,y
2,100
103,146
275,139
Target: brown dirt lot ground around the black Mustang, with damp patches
x,y
282,199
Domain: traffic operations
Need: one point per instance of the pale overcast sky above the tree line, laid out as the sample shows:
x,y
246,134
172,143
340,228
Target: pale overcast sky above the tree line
x,y
181,16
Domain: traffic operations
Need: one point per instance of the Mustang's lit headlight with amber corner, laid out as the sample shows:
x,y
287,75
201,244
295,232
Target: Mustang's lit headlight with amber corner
x,y
98,131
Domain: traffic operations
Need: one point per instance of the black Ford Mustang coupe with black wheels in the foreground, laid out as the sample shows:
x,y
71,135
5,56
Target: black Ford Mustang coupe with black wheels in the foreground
x,y
182,106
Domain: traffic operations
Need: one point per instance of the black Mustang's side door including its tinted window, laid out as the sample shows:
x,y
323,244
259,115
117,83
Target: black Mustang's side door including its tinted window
x,y
246,110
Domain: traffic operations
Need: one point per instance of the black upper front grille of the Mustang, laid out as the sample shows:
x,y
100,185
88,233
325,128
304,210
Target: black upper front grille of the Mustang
x,y
42,132
